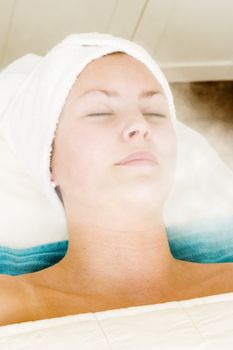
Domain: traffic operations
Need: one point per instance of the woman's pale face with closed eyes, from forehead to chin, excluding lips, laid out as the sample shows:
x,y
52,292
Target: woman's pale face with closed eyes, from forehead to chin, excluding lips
x,y
97,130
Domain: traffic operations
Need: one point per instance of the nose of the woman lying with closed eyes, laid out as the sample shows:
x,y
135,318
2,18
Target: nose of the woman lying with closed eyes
x,y
136,128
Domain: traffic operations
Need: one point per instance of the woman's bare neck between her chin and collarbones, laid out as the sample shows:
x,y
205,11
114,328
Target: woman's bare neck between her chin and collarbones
x,y
105,261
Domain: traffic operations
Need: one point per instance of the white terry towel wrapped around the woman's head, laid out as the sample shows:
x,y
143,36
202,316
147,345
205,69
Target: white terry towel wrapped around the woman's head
x,y
29,124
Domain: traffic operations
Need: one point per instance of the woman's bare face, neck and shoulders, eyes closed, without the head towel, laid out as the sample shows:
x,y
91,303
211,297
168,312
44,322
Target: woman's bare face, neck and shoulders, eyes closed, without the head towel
x,y
118,254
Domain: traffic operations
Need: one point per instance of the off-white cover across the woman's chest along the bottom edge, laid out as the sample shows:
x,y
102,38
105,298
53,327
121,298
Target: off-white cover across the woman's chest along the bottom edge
x,y
197,324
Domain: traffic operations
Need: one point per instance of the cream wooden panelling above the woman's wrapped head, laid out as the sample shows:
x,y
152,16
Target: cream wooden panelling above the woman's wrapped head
x,y
192,40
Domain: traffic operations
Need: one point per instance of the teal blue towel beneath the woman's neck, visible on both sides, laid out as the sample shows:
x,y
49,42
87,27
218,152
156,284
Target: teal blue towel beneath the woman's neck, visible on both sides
x,y
204,241
